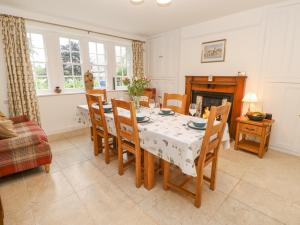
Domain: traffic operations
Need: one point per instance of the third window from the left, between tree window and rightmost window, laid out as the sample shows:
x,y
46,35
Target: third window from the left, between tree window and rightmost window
x,y
98,63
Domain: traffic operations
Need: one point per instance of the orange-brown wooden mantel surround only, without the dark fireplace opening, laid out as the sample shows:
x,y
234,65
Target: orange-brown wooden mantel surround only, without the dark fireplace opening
x,y
234,85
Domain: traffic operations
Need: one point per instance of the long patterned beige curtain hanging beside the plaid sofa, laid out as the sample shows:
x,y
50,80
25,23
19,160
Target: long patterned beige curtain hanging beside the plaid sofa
x,y
22,98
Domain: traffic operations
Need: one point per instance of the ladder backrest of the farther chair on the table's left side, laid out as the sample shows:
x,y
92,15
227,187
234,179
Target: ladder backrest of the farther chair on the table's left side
x,y
96,112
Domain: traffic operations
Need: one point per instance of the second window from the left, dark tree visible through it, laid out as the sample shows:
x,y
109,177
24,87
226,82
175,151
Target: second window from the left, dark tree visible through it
x,y
70,55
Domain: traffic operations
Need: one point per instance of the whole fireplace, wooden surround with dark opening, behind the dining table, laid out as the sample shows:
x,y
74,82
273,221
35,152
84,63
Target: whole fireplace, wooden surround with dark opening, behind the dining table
x,y
214,91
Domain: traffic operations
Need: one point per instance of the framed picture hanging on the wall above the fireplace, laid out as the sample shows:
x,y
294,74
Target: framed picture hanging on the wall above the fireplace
x,y
213,51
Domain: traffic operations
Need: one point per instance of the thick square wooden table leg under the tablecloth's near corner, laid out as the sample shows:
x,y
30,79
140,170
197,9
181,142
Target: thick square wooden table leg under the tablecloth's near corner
x,y
148,170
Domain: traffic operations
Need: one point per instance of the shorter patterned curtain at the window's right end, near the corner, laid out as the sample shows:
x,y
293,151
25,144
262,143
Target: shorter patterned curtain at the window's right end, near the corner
x,y
138,59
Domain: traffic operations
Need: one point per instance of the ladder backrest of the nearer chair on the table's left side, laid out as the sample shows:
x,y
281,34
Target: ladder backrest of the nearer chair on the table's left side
x,y
126,126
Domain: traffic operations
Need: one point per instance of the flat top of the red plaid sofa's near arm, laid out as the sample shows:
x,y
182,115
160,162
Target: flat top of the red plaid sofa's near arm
x,y
19,142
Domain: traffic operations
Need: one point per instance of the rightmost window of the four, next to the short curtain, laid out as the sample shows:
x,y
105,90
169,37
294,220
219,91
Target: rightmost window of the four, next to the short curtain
x,y
123,66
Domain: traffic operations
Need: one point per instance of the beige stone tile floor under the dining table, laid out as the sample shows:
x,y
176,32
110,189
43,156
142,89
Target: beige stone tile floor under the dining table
x,y
82,190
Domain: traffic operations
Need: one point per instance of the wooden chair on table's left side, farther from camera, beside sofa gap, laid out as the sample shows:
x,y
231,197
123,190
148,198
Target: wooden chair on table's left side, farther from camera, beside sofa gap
x,y
99,126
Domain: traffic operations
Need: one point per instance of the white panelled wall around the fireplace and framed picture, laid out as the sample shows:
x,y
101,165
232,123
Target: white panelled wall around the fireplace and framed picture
x,y
264,43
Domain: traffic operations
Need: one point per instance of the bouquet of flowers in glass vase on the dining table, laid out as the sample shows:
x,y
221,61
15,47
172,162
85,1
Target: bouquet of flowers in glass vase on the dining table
x,y
136,88
